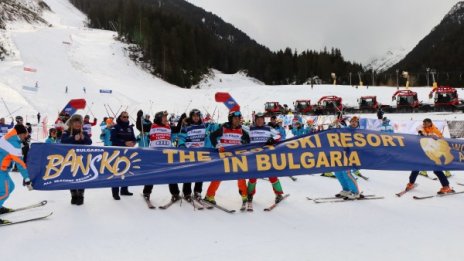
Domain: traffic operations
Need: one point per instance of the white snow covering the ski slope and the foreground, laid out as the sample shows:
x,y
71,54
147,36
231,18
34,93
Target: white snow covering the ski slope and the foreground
x,y
105,229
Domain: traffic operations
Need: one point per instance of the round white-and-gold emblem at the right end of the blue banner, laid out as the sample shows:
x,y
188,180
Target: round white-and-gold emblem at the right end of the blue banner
x,y
438,151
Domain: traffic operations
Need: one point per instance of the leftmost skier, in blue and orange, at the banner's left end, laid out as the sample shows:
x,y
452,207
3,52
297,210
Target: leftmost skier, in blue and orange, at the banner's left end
x,y
10,146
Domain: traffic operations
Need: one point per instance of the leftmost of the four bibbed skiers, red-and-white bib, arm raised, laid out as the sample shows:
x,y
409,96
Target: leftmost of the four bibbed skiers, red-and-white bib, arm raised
x,y
161,137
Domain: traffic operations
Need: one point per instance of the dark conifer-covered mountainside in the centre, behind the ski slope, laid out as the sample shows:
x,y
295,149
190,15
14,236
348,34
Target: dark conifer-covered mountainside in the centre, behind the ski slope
x,y
181,43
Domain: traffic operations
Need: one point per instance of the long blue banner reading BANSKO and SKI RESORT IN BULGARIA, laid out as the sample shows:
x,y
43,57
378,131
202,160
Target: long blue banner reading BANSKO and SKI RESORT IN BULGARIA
x,y
55,167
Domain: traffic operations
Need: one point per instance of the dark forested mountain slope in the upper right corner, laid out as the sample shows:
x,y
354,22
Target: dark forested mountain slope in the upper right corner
x,y
442,49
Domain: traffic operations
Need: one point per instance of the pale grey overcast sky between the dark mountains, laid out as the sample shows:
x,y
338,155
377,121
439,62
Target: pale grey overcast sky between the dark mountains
x,y
362,29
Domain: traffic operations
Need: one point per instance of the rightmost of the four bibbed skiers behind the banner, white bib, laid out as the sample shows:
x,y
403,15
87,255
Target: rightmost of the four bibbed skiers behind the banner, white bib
x,y
259,133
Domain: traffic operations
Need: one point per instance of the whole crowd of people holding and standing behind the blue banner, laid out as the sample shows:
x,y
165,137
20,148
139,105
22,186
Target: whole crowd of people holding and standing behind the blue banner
x,y
188,131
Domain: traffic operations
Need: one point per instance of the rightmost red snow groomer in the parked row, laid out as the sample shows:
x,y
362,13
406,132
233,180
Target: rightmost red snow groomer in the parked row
x,y
445,99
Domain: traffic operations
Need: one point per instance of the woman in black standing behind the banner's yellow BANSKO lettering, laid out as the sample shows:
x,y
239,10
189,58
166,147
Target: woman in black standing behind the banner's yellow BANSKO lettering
x,y
75,135
